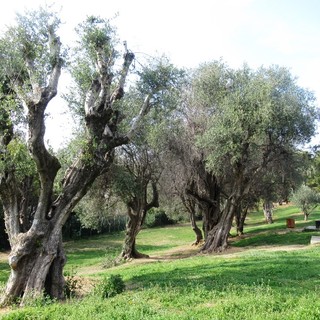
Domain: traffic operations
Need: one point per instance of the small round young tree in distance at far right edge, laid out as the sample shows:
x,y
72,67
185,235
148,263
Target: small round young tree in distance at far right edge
x,y
306,199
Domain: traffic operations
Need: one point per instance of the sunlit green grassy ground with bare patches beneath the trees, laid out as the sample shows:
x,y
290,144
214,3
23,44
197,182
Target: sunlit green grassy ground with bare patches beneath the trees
x,y
270,273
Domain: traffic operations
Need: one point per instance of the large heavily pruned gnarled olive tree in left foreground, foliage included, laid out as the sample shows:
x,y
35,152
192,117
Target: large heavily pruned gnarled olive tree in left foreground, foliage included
x,y
32,58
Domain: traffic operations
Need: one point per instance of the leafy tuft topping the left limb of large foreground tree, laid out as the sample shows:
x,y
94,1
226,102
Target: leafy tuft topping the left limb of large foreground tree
x,y
29,41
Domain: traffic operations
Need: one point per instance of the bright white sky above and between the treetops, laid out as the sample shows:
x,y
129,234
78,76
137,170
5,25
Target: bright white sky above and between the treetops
x,y
191,32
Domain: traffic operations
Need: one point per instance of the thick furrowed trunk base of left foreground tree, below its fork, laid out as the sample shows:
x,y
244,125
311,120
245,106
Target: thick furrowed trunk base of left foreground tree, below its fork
x,y
36,264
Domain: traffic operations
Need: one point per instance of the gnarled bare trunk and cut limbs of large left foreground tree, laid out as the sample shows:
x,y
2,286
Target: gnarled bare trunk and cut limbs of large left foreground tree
x,y
37,258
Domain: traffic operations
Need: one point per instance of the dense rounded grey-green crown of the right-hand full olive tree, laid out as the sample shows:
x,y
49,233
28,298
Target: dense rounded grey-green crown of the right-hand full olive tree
x,y
256,109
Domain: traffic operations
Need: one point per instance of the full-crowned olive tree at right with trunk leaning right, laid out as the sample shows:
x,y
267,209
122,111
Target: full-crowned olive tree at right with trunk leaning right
x,y
259,117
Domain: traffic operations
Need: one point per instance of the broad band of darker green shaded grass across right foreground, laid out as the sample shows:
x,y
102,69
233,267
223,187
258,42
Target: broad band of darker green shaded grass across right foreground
x,y
290,272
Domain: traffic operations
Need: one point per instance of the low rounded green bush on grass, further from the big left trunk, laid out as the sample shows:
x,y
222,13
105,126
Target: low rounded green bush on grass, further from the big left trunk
x,y
109,286
